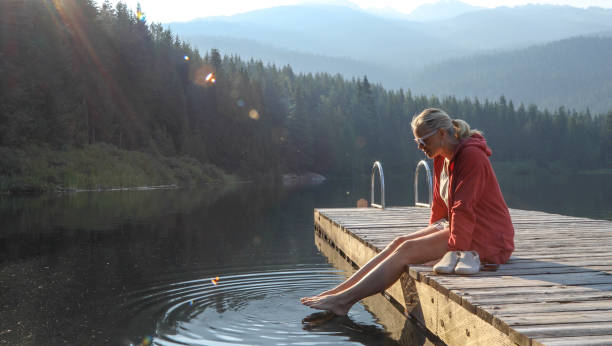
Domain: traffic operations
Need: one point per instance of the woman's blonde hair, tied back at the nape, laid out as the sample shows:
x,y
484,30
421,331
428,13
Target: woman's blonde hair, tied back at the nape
x,y
434,118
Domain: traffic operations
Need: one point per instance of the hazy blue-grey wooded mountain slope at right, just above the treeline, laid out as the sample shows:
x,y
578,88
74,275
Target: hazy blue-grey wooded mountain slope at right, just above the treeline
x,y
575,73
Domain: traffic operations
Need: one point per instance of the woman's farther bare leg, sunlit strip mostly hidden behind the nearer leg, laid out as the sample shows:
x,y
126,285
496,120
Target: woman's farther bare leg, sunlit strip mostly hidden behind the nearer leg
x,y
372,263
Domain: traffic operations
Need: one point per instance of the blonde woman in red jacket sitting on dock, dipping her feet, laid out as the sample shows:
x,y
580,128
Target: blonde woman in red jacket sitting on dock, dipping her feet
x,y
468,213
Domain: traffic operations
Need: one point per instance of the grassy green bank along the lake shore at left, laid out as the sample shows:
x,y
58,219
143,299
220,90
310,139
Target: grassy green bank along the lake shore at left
x,y
100,166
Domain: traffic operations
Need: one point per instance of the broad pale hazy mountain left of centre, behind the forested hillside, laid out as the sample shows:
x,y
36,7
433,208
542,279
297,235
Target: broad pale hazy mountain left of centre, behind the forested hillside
x,y
331,31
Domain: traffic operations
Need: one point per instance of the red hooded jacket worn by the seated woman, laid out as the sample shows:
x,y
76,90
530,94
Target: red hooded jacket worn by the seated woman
x,y
478,215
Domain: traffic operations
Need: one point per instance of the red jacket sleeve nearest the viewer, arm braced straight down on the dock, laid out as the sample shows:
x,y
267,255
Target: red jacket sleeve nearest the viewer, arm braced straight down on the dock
x,y
469,179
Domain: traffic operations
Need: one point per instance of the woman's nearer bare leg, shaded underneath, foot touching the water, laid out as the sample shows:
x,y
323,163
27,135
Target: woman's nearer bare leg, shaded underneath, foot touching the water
x,y
418,250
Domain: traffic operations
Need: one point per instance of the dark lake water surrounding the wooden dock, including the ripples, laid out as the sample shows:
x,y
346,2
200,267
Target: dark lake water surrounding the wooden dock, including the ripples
x,y
140,267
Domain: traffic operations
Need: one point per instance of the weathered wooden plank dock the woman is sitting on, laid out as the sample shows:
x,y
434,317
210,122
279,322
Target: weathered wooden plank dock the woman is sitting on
x,y
555,290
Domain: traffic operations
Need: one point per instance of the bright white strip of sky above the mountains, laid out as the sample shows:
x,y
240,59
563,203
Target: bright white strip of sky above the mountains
x,y
164,11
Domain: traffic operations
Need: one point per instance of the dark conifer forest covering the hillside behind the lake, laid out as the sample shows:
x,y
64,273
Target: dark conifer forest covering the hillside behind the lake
x,y
75,76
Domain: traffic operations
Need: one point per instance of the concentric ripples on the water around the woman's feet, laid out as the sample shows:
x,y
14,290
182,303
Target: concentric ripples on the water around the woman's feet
x,y
255,308
